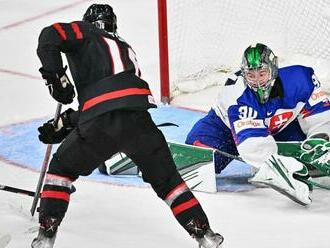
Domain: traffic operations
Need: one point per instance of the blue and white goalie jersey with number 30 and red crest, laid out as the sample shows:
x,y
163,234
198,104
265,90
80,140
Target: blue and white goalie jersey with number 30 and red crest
x,y
297,94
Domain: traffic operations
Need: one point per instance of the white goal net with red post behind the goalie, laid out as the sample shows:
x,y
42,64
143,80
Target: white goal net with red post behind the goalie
x,y
202,41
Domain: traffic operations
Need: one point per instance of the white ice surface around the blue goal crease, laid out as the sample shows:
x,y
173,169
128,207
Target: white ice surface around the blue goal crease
x,y
111,216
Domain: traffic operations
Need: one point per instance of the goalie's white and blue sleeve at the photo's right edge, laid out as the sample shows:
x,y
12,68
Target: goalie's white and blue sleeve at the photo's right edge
x,y
315,116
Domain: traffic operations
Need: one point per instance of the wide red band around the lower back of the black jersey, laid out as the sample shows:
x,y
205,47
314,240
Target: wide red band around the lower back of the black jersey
x,y
114,95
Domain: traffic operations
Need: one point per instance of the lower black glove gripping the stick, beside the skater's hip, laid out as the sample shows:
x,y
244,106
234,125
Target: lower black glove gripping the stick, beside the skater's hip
x,y
49,134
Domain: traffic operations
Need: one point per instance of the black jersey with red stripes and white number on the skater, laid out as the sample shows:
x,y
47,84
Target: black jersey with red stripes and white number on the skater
x,y
103,66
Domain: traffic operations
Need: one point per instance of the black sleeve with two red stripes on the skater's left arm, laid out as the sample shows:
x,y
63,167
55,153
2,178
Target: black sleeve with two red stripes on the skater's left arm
x,y
57,38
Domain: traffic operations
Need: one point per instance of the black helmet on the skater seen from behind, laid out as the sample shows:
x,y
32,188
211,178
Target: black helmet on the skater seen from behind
x,y
102,16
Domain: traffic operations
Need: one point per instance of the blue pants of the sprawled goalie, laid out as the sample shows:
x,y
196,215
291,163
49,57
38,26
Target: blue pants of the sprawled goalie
x,y
211,131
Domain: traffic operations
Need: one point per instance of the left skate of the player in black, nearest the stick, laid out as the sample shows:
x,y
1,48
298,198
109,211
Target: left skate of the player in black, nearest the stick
x,y
47,233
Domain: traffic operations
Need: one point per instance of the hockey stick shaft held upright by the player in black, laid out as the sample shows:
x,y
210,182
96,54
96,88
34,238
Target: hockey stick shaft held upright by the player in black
x,y
45,164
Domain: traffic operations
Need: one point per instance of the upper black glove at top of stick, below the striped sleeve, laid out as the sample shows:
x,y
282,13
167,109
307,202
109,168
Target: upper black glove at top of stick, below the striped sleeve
x,y
59,85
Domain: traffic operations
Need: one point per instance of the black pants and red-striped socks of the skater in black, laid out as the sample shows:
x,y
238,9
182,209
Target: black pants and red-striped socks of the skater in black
x,y
133,133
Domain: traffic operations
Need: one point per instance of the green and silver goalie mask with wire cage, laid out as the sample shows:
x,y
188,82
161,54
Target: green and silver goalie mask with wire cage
x,y
260,69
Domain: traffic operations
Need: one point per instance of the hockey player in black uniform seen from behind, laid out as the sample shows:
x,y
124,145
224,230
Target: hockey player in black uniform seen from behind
x,y
112,117
